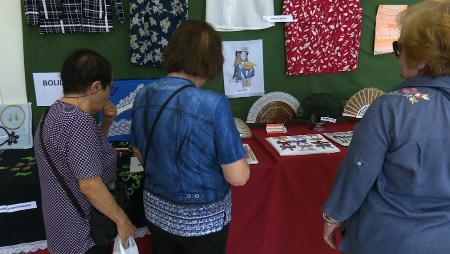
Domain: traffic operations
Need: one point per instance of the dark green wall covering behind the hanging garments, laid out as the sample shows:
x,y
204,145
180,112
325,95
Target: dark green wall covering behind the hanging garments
x,y
45,53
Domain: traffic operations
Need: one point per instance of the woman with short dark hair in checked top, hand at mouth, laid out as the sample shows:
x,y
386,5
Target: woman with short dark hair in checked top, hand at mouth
x,y
78,148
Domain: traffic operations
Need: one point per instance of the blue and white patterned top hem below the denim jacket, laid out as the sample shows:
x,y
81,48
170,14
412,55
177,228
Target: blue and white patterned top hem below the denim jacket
x,y
187,220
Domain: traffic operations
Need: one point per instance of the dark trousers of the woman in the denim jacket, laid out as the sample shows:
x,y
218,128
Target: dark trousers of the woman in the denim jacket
x,y
166,243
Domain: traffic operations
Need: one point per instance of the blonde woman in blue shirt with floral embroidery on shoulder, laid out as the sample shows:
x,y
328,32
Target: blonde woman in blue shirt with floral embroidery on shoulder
x,y
392,191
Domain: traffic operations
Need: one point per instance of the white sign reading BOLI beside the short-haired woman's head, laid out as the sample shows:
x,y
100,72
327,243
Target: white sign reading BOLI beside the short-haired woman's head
x,y
48,88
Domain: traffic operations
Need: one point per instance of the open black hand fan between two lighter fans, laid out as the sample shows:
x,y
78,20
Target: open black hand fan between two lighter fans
x,y
316,106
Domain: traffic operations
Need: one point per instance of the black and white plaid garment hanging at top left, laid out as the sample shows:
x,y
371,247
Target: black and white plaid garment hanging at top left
x,y
70,16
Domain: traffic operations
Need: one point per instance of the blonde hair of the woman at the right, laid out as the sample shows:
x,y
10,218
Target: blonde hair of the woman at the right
x,y
425,36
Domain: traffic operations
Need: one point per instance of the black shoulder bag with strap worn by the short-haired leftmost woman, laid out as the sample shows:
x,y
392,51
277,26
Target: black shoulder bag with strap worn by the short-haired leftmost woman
x,y
102,229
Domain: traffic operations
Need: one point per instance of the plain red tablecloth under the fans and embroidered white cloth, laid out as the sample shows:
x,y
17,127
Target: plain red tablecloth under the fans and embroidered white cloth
x,y
279,210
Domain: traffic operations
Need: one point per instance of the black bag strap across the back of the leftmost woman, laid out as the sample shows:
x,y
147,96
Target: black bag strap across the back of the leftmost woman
x,y
57,174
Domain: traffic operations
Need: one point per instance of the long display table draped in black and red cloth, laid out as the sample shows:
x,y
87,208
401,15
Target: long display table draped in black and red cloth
x,y
278,211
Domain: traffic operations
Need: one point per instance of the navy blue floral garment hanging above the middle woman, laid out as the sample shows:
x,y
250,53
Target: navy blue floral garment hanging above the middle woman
x,y
152,22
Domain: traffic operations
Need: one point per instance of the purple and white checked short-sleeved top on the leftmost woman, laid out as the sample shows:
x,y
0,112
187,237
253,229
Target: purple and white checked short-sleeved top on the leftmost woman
x,y
79,151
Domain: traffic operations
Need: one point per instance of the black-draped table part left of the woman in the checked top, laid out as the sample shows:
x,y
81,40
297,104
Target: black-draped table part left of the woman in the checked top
x,y
19,183
